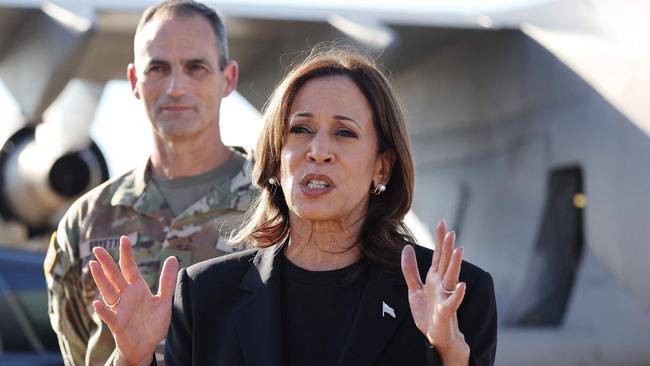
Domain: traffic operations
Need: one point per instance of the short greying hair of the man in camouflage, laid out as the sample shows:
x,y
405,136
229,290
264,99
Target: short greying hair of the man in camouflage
x,y
180,8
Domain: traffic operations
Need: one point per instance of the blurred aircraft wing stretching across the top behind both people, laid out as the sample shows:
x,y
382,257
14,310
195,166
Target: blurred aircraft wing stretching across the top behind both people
x,y
45,44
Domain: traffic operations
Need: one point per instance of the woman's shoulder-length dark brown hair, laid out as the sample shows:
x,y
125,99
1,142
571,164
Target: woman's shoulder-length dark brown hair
x,y
383,233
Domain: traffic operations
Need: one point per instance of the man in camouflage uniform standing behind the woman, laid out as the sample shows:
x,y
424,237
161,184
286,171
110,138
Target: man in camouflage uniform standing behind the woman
x,y
183,201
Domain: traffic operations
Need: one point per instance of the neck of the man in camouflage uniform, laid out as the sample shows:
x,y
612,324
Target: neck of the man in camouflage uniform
x,y
188,156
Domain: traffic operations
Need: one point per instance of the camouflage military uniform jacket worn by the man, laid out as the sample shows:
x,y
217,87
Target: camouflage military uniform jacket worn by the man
x,y
130,205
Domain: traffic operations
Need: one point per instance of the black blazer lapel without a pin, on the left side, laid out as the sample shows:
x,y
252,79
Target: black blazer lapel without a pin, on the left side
x,y
259,320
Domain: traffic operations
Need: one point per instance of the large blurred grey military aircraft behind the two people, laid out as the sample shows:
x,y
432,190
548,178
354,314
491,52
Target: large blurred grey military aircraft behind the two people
x,y
529,126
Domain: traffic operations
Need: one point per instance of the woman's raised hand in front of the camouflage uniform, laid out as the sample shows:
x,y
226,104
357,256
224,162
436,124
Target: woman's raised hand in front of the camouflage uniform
x,y
138,319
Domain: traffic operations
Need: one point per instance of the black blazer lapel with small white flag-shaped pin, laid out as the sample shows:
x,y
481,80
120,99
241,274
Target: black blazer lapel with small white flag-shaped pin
x,y
383,307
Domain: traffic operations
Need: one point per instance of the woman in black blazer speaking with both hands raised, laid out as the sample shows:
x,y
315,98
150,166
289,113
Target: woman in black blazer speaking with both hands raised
x,y
321,285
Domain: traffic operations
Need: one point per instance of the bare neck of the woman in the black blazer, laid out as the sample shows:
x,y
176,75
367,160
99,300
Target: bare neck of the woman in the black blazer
x,y
323,246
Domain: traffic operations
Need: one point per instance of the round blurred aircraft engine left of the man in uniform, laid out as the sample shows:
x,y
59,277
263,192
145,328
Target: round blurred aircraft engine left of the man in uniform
x,y
38,181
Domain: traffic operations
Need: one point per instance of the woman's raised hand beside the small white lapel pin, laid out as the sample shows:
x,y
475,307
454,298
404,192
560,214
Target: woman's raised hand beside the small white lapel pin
x,y
435,302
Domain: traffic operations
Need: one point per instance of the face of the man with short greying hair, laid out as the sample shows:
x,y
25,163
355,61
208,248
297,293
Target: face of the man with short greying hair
x,y
176,74
